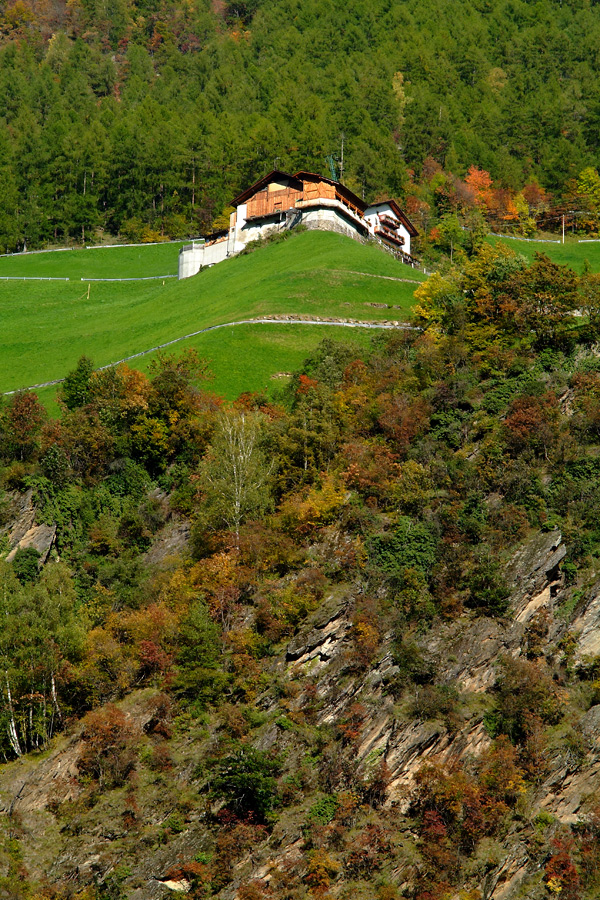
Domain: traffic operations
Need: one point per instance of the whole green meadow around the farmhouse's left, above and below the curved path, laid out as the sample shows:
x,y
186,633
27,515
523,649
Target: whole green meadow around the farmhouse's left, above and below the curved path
x,y
47,326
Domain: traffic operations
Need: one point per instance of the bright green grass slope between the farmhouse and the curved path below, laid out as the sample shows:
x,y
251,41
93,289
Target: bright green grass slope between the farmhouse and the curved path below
x,y
48,325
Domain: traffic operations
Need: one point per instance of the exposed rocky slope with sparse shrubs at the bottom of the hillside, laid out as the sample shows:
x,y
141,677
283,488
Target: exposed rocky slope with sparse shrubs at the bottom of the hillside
x,y
350,733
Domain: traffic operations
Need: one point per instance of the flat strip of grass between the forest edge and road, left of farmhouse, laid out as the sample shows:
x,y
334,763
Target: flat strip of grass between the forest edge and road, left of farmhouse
x,y
103,262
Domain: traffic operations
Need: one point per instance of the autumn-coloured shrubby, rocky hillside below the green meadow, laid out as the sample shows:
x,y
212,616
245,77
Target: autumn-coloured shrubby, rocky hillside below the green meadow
x,y
344,645
